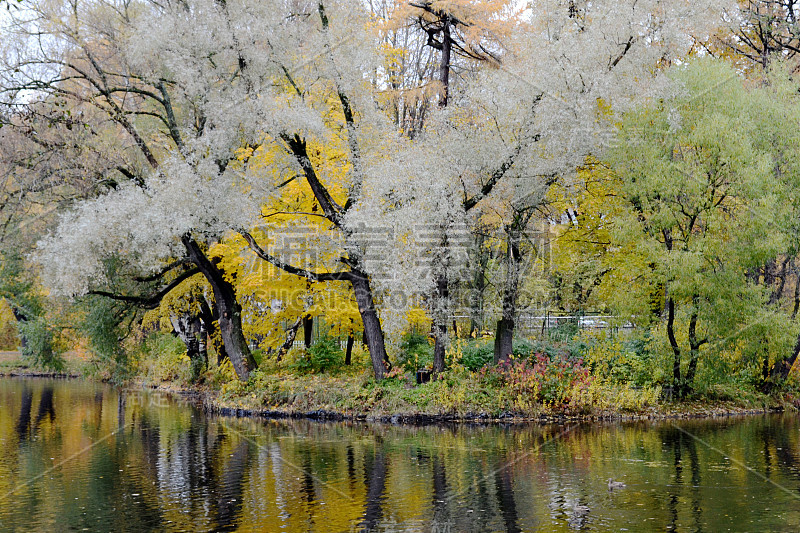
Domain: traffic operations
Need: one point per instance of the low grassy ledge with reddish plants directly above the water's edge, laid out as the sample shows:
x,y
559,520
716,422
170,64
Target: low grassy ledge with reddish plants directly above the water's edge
x,y
458,395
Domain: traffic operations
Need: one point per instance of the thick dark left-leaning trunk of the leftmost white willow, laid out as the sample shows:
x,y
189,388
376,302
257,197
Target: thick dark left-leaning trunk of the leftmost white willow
x,y
230,312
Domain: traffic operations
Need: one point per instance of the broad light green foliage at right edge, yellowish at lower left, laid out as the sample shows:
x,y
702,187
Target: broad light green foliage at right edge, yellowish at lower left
x,y
700,174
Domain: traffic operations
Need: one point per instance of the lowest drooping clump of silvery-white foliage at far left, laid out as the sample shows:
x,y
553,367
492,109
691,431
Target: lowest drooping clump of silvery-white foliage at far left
x,y
144,225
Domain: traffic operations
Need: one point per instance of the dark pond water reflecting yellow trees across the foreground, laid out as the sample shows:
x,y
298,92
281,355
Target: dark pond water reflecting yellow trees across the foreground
x,y
78,456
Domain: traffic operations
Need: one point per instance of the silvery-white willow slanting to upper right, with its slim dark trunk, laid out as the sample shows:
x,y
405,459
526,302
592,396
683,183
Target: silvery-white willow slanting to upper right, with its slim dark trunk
x,y
532,116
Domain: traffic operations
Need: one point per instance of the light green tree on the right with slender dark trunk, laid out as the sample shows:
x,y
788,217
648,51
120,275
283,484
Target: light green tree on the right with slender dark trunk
x,y
698,179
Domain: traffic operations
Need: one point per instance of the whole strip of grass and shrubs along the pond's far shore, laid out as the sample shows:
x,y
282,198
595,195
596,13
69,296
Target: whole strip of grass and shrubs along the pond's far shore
x,y
576,378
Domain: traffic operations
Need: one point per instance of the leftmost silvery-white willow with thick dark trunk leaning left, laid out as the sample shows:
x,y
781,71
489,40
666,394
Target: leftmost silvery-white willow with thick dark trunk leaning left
x,y
173,181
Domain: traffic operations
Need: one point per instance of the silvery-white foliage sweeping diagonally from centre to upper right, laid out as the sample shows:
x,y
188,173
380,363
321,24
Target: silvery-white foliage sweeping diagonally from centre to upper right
x,y
546,107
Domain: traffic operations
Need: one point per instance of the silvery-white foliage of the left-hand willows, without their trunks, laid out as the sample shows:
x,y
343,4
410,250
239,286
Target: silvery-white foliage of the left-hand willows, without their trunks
x,y
229,63
